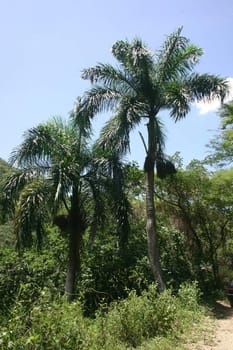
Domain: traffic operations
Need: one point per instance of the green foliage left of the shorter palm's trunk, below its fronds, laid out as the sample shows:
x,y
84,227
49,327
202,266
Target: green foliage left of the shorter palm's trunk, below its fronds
x,y
22,277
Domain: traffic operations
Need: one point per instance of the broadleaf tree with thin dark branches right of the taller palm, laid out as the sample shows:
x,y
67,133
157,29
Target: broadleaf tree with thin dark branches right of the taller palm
x,y
198,204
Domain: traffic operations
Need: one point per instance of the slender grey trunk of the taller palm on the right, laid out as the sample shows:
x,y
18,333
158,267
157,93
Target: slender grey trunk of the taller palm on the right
x,y
152,235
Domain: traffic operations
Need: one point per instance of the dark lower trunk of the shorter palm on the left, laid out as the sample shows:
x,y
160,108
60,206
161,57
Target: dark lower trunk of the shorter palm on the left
x,y
73,262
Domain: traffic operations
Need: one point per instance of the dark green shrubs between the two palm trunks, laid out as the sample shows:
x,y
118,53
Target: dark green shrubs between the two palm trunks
x,y
110,271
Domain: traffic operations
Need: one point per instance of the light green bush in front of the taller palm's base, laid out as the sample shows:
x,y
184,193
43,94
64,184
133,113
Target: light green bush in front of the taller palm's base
x,y
139,317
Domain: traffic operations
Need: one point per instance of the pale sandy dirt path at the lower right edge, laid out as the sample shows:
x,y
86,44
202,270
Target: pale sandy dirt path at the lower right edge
x,y
220,336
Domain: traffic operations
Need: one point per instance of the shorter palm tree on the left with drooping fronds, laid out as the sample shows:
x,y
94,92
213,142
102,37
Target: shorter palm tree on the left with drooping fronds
x,y
59,178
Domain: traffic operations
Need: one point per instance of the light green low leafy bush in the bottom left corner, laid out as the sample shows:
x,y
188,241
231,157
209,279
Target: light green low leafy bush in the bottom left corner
x,y
48,325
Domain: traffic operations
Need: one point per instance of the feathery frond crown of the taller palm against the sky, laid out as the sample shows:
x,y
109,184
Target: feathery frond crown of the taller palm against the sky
x,y
145,83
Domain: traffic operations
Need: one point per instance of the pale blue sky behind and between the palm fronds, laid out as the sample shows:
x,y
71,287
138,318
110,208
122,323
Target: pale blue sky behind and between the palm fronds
x,y
45,45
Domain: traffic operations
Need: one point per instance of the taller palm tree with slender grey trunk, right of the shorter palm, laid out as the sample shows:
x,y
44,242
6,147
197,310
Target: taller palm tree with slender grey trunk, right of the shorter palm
x,y
142,85
